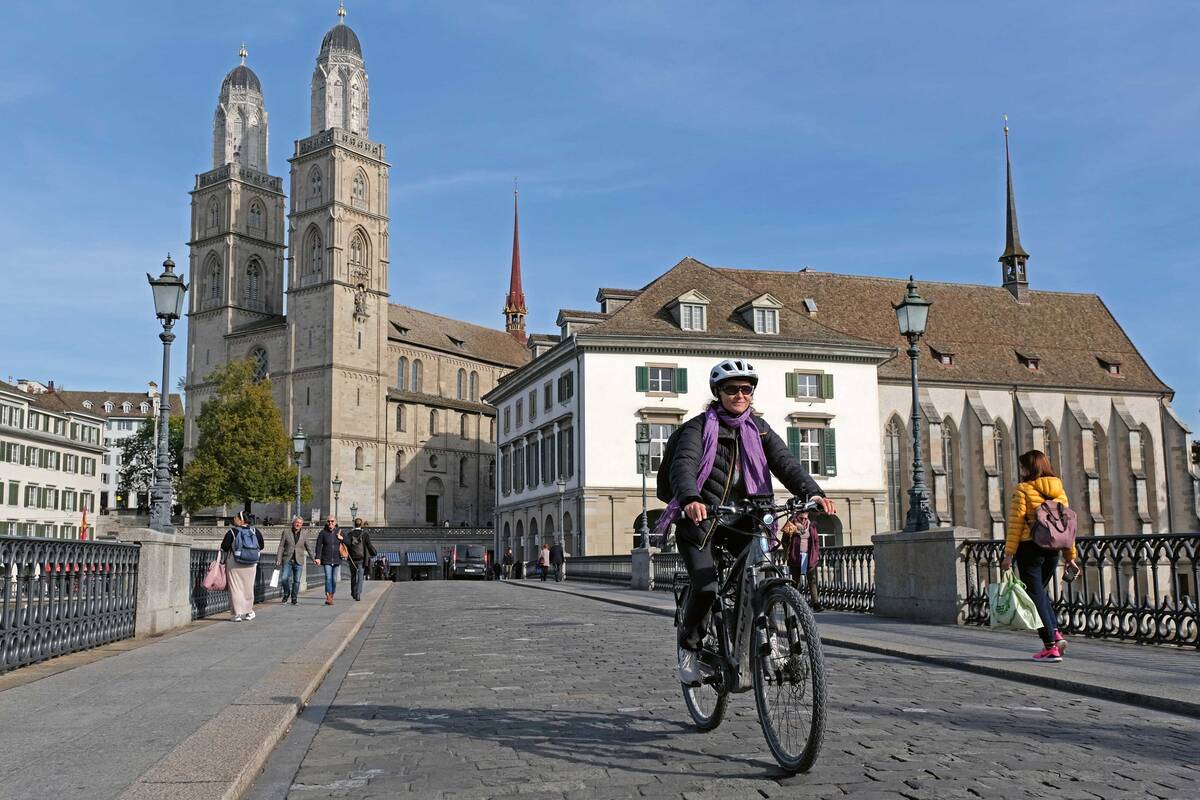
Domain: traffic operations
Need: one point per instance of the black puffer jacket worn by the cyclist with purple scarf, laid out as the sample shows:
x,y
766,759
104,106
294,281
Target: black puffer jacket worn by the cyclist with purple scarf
x,y
691,452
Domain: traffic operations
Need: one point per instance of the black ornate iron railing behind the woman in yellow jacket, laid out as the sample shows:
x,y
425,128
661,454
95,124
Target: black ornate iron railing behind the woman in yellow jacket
x,y
1135,588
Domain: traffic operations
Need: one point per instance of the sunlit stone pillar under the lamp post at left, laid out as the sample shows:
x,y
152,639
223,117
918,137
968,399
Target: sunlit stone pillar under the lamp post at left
x,y
165,581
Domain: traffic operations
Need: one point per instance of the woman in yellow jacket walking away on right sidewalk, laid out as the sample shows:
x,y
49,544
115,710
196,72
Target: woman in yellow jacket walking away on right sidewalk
x,y
1036,564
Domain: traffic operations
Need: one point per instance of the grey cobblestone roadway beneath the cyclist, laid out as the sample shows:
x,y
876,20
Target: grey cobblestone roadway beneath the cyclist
x,y
485,690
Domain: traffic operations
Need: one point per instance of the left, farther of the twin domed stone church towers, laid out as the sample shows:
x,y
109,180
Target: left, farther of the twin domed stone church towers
x,y
237,243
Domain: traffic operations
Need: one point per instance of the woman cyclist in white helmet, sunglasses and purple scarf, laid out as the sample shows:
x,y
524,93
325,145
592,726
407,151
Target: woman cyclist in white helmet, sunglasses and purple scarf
x,y
724,455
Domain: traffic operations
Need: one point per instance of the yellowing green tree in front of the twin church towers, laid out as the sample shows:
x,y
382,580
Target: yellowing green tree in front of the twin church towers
x,y
243,454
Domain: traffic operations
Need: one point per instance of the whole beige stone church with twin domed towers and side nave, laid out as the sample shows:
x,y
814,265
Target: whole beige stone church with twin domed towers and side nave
x,y
388,395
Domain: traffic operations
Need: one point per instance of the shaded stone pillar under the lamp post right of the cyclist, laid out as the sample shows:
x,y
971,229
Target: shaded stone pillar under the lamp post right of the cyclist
x,y
919,576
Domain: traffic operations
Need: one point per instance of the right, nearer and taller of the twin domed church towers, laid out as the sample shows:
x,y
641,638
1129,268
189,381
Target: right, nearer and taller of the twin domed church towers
x,y
338,284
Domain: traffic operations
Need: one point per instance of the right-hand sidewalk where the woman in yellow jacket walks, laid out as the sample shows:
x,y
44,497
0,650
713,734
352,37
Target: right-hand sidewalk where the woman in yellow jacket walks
x,y
1151,677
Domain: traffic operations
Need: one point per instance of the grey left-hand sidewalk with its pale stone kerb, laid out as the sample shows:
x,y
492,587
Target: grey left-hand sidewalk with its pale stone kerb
x,y
184,717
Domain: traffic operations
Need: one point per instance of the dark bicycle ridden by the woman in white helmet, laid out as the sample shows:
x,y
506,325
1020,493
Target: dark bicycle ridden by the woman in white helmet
x,y
773,646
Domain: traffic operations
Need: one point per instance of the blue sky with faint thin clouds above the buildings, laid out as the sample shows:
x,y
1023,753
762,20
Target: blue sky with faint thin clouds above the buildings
x,y
850,137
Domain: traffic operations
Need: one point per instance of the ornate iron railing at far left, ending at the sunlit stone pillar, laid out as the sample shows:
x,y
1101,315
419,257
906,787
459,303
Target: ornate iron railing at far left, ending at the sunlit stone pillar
x,y
58,597
